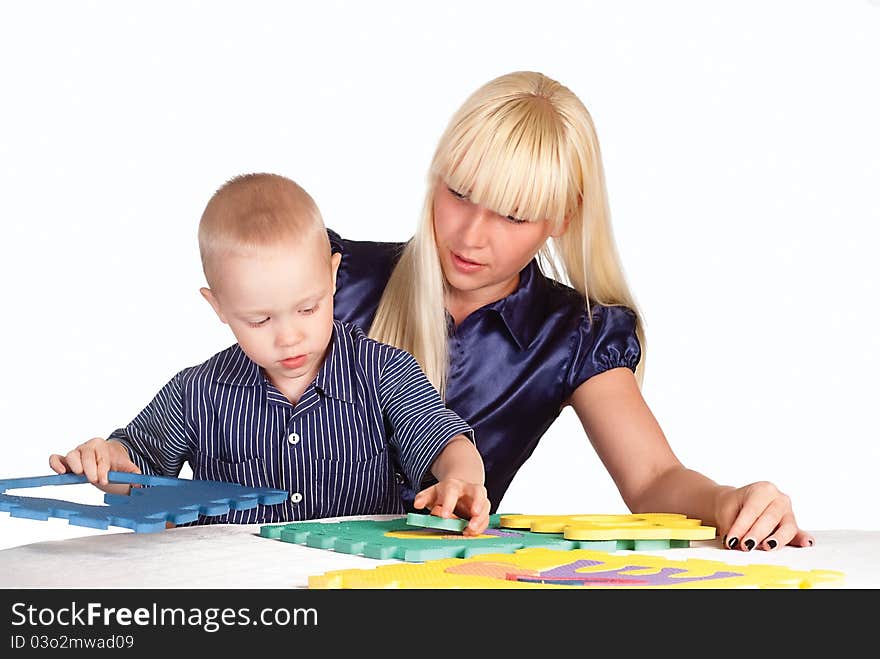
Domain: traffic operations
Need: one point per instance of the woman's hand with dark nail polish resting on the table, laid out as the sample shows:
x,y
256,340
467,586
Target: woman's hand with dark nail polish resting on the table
x,y
758,516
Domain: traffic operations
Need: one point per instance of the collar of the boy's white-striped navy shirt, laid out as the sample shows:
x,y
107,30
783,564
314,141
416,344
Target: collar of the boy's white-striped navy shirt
x,y
334,378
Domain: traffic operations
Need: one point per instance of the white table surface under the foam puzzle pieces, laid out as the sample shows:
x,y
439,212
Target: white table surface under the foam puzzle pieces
x,y
235,556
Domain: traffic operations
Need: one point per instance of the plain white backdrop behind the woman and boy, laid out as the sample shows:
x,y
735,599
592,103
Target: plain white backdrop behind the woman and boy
x,y
740,141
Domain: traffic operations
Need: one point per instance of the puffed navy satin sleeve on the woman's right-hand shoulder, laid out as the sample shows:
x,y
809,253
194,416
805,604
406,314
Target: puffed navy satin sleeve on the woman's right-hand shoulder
x,y
608,341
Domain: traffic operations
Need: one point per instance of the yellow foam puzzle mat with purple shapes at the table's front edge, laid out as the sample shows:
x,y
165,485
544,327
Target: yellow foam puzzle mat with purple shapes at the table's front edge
x,y
539,568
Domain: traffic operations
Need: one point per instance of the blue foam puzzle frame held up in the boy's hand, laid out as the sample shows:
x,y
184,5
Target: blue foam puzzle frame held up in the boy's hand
x,y
161,499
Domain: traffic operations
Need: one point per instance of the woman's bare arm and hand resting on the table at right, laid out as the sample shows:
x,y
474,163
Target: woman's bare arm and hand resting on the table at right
x,y
650,478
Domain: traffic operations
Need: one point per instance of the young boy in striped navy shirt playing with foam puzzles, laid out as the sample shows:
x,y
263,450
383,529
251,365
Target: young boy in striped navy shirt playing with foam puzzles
x,y
301,402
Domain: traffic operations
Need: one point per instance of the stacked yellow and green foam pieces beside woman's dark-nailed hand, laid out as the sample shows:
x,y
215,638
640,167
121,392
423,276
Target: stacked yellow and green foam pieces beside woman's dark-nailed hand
x,y
639,531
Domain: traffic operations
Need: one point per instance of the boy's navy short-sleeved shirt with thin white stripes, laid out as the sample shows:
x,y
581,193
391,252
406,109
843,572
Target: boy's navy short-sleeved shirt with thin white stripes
x,y
369,411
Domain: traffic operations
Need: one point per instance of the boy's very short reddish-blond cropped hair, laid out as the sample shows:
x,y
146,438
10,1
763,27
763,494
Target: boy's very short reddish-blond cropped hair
x,y
255,211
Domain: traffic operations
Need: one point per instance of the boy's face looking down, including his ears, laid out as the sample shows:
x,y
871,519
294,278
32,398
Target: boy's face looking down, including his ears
x,y
278,303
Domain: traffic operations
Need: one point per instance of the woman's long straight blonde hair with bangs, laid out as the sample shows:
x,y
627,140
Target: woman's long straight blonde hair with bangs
x,y
521,144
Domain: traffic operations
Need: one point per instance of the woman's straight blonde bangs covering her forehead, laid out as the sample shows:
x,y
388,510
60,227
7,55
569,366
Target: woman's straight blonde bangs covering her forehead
x,y
513,159
